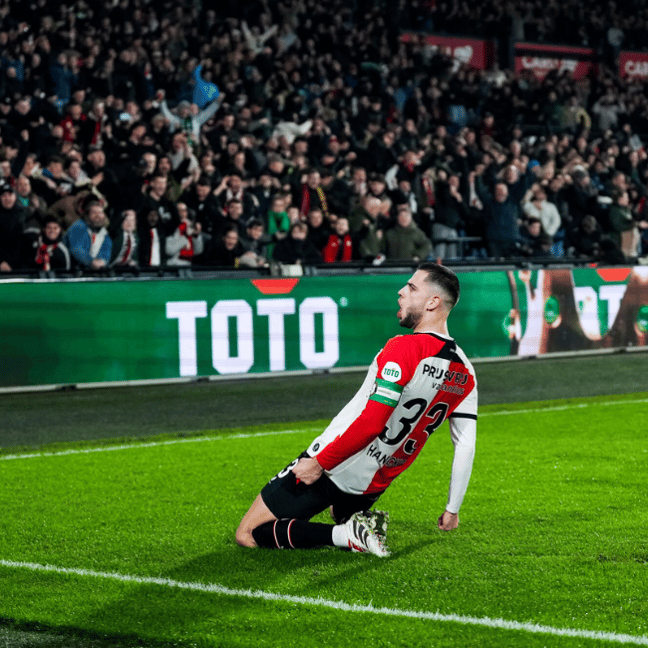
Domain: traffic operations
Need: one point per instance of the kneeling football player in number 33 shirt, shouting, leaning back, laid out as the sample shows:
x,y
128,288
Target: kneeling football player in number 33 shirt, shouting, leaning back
x,y
413,385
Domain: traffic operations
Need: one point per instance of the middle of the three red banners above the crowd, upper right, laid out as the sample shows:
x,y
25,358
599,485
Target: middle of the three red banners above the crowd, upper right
x,y
542,59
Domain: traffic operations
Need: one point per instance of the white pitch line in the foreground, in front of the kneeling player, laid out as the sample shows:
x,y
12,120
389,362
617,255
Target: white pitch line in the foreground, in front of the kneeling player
x,y
213,588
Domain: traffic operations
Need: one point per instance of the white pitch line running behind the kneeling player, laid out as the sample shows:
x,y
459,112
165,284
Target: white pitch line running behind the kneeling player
x,y
224,437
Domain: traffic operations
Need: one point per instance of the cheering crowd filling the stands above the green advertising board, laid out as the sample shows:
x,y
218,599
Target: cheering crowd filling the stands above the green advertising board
x,y
147,133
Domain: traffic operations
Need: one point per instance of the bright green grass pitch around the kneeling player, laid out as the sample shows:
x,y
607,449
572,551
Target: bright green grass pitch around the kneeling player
x,y
553,532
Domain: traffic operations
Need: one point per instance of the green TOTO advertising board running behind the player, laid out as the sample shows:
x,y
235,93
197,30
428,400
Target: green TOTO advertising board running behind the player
x,y
92,331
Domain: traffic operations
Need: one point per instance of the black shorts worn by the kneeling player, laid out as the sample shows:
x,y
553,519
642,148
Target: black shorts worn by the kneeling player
x,y
287,499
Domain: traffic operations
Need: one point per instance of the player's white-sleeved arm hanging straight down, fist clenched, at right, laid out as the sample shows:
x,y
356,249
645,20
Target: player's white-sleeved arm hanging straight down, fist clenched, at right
x,y
463,431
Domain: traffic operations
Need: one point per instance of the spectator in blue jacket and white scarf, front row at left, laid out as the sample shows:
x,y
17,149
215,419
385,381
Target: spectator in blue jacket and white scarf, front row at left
x,y
88,240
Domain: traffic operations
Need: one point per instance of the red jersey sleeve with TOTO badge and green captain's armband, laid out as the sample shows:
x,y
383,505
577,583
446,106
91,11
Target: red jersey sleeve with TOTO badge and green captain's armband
x,y
395,370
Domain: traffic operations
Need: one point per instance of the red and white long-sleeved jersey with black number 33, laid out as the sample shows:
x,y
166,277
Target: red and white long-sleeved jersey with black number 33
x,y
412,386
